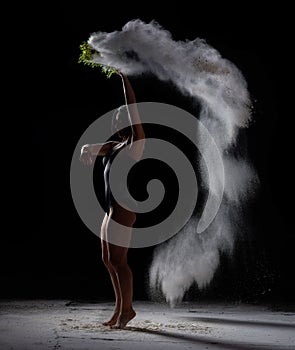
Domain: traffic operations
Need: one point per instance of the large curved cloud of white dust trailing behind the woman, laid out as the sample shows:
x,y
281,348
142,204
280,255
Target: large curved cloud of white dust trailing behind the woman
x,y
218,86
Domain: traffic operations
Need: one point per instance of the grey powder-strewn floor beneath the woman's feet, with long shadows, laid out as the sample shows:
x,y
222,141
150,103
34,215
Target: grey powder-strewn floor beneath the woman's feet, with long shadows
x,y
62,324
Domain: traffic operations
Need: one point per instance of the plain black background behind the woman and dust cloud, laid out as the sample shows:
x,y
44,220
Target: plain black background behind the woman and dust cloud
x,y
47,252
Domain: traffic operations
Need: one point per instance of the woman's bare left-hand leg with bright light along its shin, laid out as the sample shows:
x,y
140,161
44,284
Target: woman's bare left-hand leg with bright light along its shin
x,y
112,272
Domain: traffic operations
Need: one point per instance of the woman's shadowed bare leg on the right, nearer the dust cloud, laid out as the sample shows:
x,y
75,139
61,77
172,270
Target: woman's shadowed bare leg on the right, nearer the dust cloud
x,y
118,260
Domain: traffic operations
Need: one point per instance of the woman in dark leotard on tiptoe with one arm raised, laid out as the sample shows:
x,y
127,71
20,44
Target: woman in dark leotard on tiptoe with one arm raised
x,y
114,256
